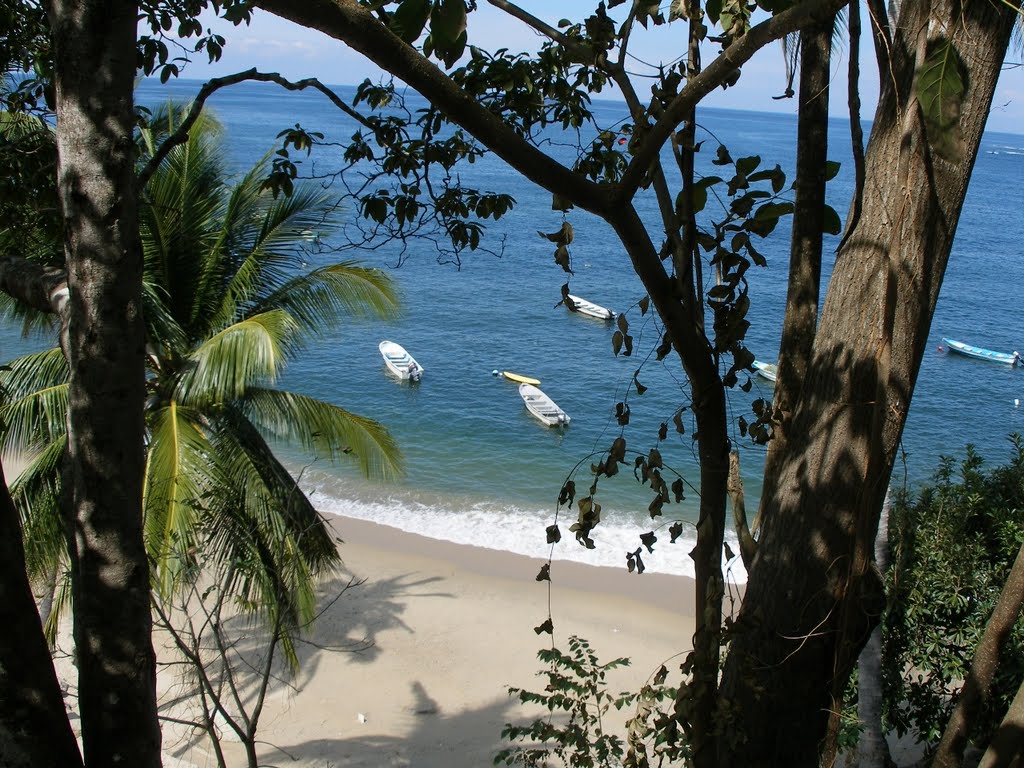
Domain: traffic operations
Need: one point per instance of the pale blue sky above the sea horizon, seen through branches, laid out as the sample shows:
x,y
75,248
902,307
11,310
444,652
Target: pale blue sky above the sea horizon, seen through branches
x,y
272,45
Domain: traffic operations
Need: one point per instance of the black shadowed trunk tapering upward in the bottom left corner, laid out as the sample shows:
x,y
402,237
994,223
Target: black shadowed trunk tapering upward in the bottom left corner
x,y
35,732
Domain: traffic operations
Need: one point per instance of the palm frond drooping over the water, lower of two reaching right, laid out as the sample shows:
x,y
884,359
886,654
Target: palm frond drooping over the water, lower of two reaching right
x,y
325,430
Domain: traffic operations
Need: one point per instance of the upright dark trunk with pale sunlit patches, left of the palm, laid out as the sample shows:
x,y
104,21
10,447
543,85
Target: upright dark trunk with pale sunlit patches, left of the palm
x,y
95,52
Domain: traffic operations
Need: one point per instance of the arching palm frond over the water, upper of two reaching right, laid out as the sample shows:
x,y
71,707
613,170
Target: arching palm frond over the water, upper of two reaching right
x,y
321,300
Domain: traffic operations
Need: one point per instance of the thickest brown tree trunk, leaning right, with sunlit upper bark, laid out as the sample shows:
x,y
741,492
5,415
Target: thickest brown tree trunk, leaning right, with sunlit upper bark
x,y
813,598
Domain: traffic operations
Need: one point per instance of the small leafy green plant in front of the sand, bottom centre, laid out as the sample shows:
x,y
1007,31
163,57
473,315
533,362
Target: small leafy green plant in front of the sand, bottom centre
x,y
577,700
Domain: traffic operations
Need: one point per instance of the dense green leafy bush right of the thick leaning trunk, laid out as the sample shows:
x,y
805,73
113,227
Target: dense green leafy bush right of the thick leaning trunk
x,y
954,546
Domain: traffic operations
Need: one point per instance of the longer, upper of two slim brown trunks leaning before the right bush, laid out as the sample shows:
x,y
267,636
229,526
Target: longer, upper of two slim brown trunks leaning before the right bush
x,y
987,660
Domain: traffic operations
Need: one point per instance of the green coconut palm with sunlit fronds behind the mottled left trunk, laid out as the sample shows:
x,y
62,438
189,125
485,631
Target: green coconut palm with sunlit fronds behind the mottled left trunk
x,y
229,302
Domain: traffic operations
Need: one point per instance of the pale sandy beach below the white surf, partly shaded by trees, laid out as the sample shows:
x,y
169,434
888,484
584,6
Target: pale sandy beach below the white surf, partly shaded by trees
x,y
447,630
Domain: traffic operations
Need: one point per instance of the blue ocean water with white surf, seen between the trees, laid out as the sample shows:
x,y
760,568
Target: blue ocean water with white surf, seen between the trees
x,y
480,470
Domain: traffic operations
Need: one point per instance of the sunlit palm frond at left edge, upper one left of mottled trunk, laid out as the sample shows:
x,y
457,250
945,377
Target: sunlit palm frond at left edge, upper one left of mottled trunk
x,y
36,391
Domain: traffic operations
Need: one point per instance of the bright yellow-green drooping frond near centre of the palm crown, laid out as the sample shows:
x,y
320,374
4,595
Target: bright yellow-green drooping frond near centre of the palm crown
x,y
225,367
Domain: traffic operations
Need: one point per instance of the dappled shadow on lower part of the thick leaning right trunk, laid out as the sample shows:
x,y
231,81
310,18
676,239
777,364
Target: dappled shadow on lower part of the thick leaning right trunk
x,y
814,593
